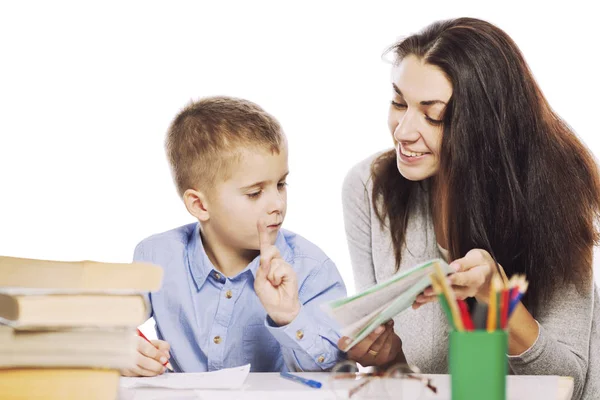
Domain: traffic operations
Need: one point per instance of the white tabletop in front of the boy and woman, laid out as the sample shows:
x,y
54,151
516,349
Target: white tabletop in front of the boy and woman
x,y
272,386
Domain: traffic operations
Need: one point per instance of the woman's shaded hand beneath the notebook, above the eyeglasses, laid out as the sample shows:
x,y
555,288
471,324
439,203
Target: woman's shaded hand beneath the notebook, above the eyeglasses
x,y
381,347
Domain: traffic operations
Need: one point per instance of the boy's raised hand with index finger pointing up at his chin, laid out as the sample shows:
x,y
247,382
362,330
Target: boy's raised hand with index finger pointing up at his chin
x,y
276,284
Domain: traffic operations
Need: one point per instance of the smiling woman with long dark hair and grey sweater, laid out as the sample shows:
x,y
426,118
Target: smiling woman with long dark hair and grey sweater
x,y
486,175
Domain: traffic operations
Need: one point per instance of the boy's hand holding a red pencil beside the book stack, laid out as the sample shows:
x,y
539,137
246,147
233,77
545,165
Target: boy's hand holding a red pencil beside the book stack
x,y
149,359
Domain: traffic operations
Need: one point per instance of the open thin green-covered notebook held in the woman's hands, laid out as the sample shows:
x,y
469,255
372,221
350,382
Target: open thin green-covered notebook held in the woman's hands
x,y
362,313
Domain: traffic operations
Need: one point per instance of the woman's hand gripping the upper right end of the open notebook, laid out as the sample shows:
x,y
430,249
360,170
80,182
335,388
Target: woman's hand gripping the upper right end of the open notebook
x,y
472,277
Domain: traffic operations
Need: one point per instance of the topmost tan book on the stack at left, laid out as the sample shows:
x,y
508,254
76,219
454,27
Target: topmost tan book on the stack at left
x,y
83,276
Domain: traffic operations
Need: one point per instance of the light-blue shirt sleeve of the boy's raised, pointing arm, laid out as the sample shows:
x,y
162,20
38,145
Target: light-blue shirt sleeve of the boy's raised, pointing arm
x,y
309,342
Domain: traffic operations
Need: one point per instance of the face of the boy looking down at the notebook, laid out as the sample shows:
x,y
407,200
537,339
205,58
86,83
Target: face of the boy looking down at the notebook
x,y
256,190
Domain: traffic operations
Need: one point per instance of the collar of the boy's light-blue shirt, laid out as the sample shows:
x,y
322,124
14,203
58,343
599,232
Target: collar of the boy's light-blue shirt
x,y
201,266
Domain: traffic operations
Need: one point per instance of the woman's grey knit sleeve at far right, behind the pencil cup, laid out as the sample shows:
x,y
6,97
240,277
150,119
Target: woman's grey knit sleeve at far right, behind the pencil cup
x,y
562,346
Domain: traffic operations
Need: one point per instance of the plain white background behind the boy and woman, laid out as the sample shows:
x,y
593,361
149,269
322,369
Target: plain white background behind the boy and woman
x,y
87,92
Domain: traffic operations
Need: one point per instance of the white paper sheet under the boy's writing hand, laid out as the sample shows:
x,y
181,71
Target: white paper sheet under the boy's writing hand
x,y
228,378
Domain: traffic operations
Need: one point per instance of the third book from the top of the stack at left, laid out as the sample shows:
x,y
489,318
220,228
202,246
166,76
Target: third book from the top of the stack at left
x,y
100,348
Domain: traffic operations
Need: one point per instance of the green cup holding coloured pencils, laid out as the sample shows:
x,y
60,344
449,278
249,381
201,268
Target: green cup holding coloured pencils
x,y
478,364
